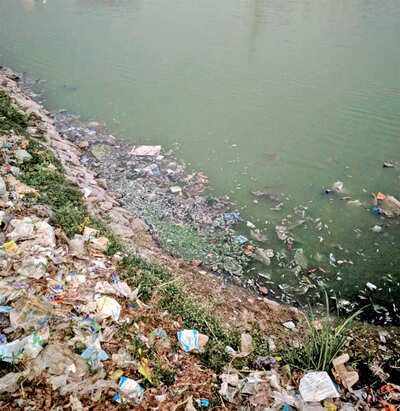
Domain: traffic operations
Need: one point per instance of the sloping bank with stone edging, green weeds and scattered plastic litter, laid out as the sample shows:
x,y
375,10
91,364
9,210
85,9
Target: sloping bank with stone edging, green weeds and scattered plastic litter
x,y
84,248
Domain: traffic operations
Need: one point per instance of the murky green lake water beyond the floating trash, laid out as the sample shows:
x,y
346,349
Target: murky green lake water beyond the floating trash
x,y
284,96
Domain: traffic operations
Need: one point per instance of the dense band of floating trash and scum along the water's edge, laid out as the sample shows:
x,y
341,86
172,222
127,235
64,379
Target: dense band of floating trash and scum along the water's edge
x,y
189,225
